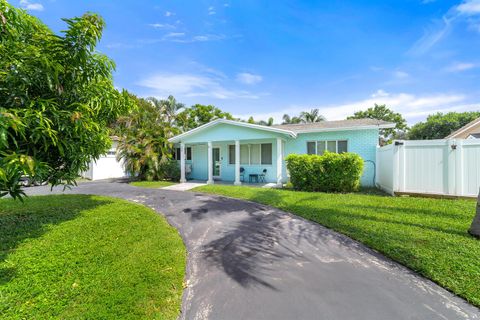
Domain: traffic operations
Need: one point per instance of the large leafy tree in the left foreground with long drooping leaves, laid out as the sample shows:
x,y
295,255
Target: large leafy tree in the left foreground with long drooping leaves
x,y
56,98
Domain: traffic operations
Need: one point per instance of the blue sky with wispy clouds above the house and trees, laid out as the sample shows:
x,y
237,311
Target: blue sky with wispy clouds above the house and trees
x,y
267,58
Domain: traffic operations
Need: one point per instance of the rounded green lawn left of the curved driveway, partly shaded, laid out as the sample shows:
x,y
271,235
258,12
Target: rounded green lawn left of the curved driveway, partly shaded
x,y
88,257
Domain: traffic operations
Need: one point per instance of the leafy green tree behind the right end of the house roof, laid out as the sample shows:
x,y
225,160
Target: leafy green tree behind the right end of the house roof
x,y
382,112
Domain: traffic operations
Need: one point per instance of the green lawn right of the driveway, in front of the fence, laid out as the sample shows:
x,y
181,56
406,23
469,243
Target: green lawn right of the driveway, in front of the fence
x,y
427,235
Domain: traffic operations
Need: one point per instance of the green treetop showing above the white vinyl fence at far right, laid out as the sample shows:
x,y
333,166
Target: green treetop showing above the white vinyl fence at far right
x,y
440,125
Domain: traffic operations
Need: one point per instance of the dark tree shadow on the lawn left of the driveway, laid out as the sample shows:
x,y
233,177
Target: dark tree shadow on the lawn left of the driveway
x,y
30,219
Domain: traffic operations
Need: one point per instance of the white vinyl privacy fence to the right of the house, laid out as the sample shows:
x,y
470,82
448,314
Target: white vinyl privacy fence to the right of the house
x,y
446,167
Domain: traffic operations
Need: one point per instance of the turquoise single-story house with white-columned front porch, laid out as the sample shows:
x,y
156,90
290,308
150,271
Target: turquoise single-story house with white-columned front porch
x,y
210,150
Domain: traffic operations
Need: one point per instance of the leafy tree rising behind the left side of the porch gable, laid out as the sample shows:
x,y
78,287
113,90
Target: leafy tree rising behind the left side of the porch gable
x,y
198,115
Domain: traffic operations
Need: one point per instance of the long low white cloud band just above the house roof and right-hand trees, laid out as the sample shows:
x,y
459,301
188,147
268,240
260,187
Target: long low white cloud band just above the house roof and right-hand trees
x,y
412,107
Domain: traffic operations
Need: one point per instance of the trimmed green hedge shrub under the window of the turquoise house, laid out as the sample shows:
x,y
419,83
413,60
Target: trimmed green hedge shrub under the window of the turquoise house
x,y
330,172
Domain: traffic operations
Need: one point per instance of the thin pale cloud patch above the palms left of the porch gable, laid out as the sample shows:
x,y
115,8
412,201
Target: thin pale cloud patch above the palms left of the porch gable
x,y
192,85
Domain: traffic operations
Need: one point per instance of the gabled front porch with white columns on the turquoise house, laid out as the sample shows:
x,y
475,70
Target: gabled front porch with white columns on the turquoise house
x,y
229,151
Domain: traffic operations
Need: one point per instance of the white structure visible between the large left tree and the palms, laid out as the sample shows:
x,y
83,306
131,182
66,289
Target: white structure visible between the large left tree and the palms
x,y
107,166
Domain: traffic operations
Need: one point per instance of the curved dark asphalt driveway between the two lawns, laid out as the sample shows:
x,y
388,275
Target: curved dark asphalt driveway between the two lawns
x,y
249,261
